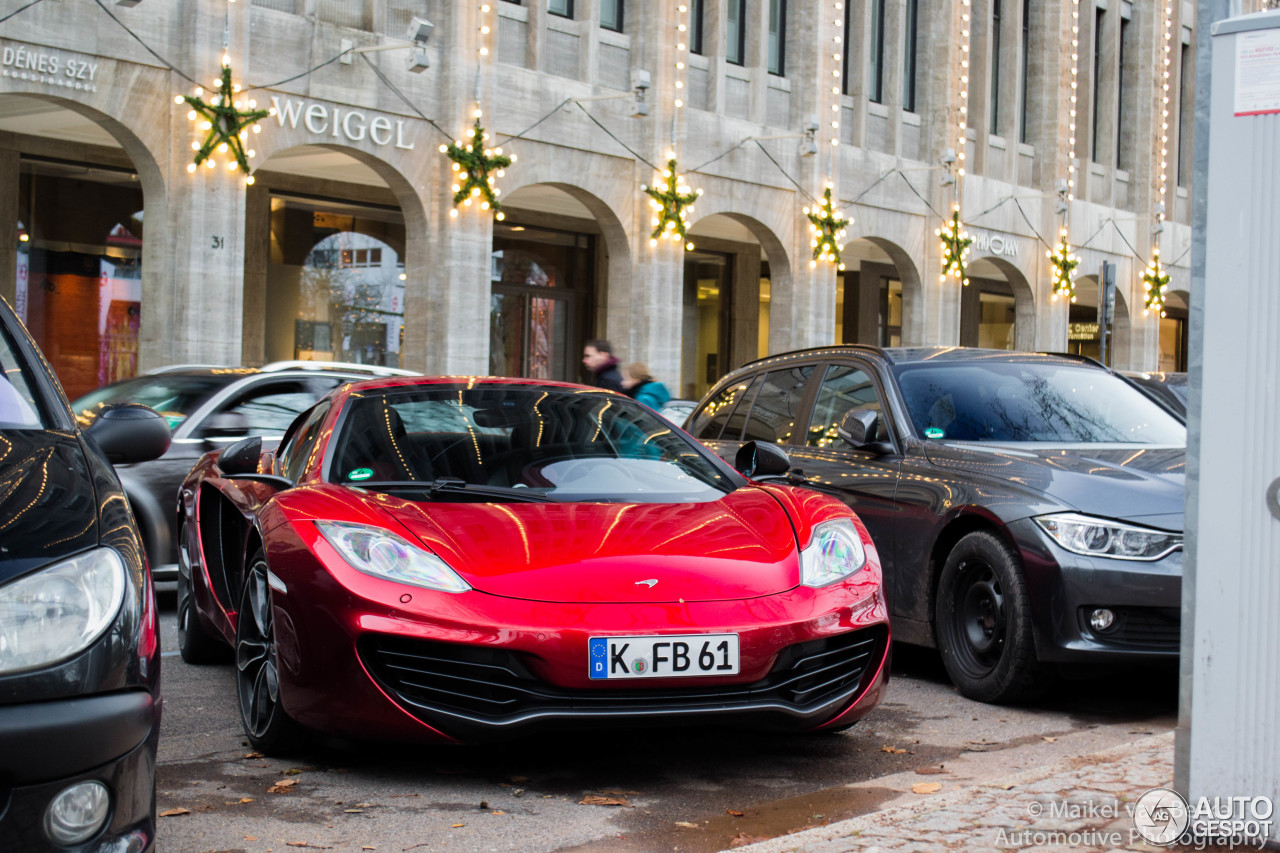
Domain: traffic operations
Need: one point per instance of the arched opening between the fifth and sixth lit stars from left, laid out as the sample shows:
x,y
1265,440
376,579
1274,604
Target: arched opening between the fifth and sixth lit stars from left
x,y
998,309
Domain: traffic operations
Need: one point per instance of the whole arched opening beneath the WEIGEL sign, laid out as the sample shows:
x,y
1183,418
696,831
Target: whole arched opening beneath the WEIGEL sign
x,y
324,263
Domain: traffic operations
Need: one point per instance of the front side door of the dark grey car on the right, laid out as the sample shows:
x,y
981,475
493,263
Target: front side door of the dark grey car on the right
x,y
866,481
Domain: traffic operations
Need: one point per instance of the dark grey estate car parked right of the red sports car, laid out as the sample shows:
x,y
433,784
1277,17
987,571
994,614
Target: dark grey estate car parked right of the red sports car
x,y
1027,508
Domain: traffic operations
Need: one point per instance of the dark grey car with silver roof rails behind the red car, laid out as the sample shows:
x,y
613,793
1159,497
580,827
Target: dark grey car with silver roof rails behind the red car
x,y
209,408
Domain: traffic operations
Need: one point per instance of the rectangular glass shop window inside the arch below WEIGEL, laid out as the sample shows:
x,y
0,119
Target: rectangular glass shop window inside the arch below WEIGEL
x,y
336,284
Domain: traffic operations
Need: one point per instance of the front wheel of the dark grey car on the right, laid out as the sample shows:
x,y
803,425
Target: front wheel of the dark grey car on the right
x,y
984,623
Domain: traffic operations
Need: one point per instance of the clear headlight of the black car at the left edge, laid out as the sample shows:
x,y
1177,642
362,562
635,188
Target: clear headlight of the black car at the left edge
x,y
60,612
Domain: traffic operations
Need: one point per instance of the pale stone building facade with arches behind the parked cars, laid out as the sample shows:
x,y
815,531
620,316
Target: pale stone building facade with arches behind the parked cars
x,y
348,245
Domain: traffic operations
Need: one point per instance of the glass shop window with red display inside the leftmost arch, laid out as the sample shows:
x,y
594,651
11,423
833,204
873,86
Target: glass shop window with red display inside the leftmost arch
x,y
80,268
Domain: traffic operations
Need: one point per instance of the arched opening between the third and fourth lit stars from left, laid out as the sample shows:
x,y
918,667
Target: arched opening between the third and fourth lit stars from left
x,y
733,277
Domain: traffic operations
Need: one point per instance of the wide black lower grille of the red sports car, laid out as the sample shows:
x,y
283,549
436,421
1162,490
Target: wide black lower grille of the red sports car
x,y
496,688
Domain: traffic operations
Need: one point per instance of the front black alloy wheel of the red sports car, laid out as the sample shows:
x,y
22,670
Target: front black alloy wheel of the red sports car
x,y
269,728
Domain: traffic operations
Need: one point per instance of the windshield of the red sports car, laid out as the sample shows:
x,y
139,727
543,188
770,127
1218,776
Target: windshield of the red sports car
x,y
565,444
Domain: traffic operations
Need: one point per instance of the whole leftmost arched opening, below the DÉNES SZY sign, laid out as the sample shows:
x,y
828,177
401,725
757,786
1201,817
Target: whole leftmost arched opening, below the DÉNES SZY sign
x,y
75,272
